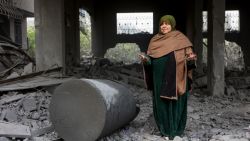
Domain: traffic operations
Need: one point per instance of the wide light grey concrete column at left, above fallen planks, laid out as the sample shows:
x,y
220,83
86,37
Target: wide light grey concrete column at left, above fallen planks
x,y
49,24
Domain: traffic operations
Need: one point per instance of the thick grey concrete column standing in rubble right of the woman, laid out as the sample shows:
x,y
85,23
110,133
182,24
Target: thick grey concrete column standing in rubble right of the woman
x,y
216,39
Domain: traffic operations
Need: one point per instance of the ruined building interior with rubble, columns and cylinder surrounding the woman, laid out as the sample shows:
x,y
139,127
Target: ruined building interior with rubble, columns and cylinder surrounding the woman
x,y
58,91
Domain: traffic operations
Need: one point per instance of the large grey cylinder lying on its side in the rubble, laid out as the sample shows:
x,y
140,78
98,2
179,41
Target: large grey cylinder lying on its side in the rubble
x,y
87,109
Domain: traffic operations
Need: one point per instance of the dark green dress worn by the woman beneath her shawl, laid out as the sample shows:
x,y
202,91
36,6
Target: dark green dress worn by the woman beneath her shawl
x,y
170,115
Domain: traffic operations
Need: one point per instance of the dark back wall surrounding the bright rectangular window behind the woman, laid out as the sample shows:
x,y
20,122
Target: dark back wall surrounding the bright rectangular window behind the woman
x,y
104,26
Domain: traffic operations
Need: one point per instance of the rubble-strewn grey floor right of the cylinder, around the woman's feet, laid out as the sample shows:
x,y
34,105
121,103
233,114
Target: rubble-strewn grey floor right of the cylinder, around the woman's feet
x,y
209,119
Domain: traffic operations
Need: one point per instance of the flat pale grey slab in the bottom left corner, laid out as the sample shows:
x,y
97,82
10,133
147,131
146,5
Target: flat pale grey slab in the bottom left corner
x,y
8,129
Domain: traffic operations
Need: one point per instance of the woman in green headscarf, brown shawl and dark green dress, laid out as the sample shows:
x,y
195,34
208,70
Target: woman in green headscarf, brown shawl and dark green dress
x,y
168,53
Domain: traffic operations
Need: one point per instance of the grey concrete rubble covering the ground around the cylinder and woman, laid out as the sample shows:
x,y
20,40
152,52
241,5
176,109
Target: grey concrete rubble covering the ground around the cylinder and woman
x,y
225,118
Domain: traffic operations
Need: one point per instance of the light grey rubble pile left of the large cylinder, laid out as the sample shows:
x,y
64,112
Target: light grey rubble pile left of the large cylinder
x,y
26,117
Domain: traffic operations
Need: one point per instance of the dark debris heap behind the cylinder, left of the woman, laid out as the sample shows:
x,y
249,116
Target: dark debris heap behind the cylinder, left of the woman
x,y
103,68
